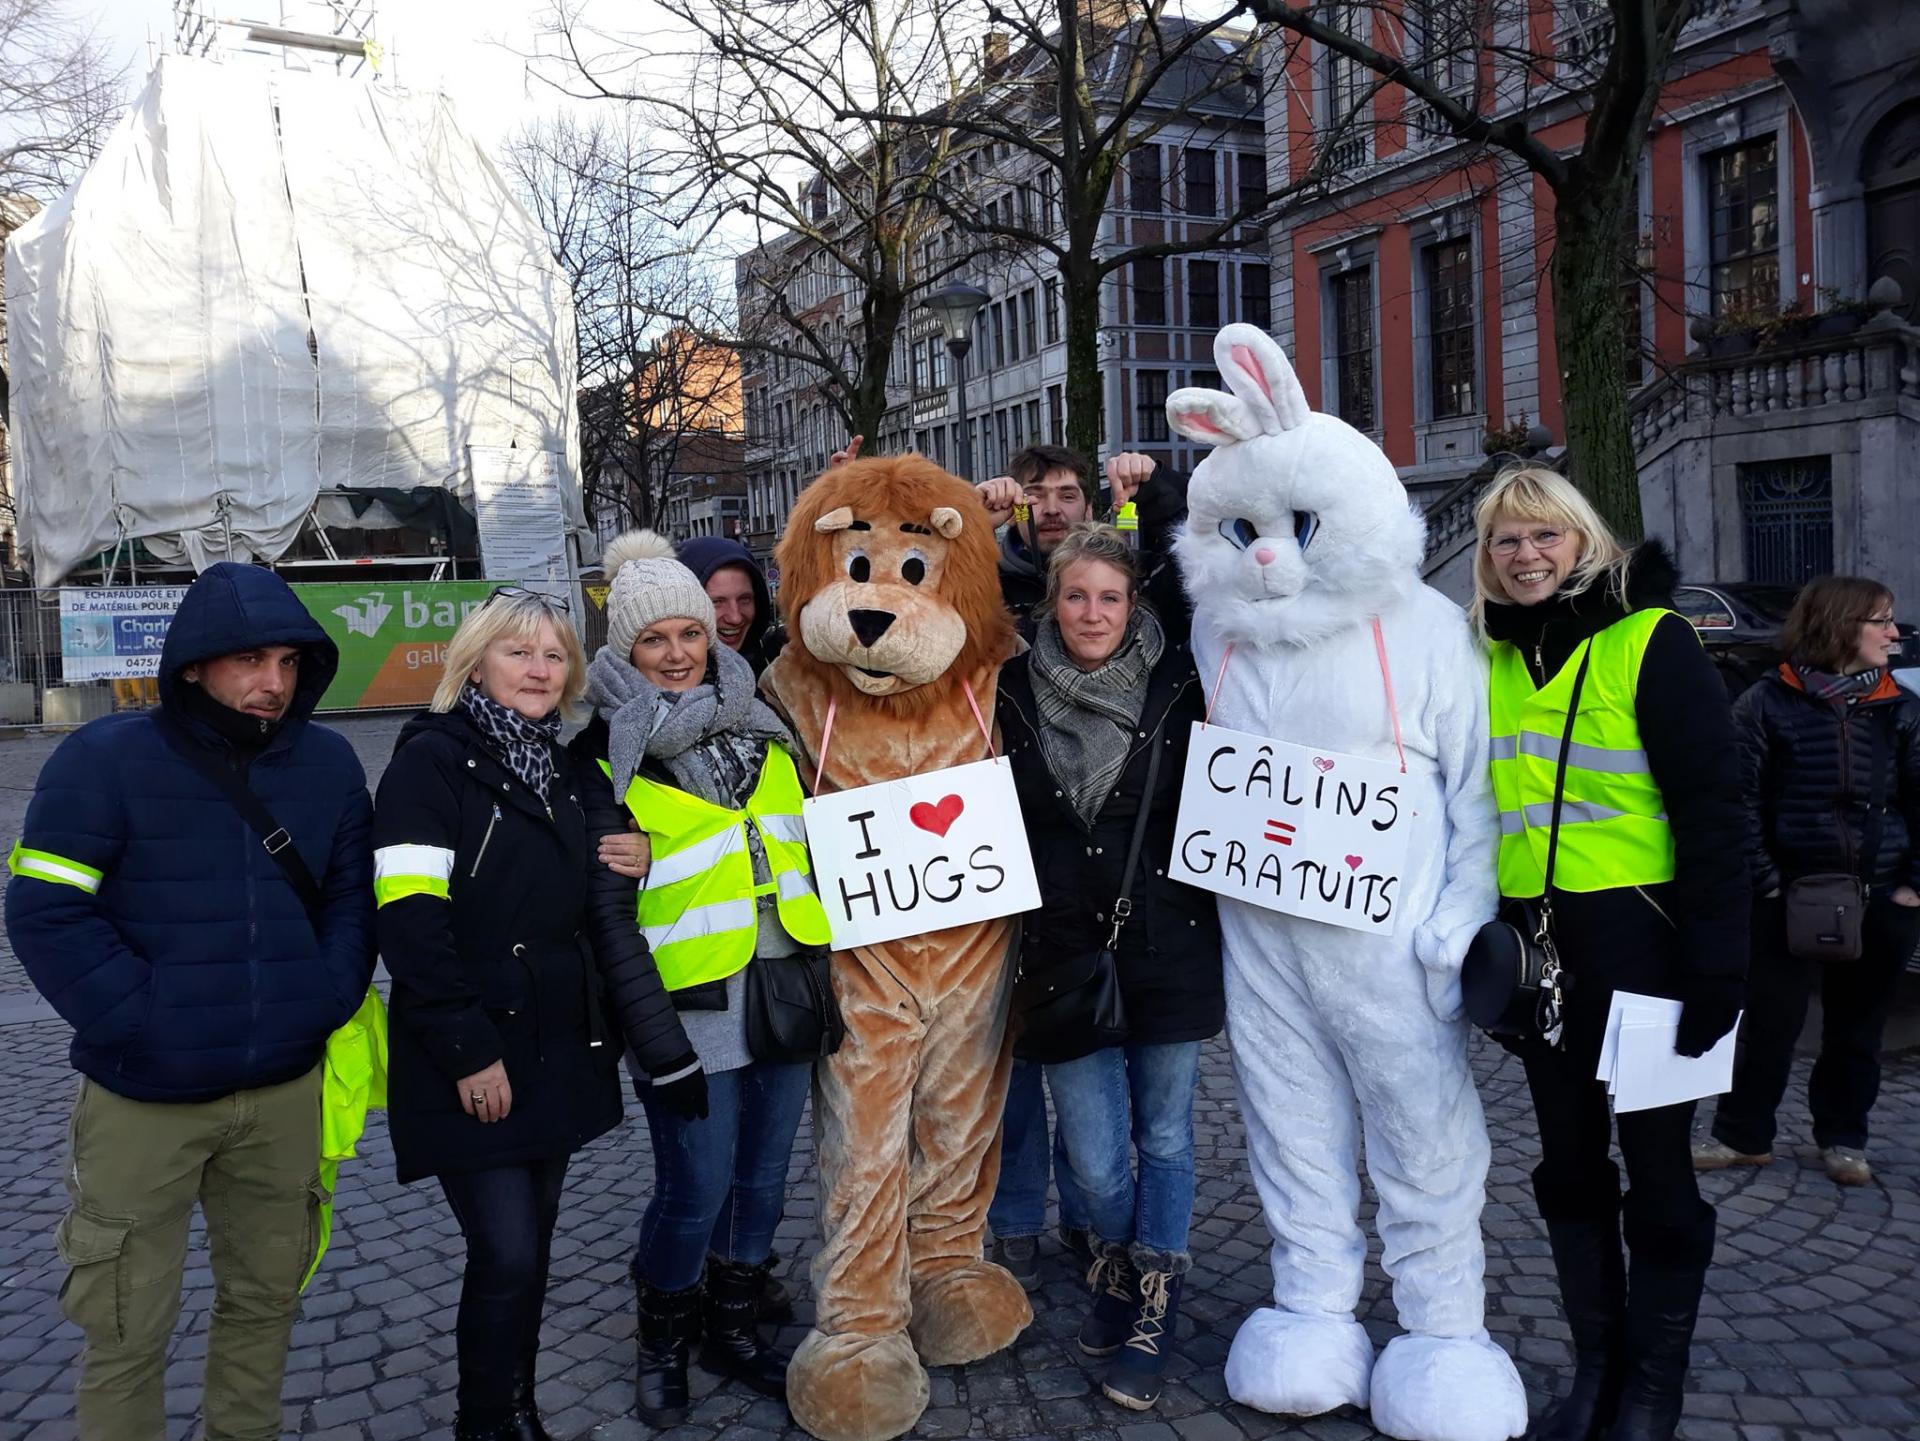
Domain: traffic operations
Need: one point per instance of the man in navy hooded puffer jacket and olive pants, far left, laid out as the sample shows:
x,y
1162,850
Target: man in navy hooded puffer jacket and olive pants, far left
x,y
201,991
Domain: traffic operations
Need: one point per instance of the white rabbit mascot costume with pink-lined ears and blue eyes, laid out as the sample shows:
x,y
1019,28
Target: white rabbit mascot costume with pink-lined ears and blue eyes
x,y
1299,540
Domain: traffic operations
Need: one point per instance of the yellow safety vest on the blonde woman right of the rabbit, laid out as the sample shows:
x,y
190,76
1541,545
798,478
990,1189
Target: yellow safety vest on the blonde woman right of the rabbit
x,y
1614,818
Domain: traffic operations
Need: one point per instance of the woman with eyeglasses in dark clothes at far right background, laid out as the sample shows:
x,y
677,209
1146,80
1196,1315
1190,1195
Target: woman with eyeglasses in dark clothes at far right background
x,y
1831,747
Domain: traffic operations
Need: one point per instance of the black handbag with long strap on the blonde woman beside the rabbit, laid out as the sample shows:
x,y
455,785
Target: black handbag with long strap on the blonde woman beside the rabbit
x,y
1512,981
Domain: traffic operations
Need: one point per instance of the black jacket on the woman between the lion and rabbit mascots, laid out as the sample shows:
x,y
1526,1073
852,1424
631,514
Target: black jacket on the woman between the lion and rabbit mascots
x,y
1170,970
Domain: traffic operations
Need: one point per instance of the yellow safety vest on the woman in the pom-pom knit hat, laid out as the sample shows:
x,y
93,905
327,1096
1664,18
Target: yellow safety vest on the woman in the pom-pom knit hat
x,y
698,905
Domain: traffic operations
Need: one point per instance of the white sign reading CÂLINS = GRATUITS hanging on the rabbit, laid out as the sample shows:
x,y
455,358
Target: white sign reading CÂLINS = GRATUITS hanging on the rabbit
x,y
1291,828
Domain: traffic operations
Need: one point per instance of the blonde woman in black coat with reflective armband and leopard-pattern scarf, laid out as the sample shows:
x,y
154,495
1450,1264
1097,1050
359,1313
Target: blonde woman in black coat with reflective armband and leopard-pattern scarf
x,y
504,1058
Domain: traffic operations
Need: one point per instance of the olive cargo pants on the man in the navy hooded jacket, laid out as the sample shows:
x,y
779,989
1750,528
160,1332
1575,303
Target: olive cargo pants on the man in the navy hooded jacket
x,y
135,1169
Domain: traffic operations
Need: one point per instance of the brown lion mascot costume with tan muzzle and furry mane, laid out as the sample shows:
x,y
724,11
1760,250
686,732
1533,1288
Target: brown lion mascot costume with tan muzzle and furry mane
x,y
890,584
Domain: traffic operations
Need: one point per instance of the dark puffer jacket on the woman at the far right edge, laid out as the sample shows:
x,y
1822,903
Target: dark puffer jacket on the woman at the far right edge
x,y
1810,778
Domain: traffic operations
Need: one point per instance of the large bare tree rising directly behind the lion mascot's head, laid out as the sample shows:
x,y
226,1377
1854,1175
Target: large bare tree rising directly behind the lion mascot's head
x,y
775,126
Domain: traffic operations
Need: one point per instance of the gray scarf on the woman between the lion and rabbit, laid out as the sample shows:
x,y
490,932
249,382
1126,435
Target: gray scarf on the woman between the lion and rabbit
x,y
1088,717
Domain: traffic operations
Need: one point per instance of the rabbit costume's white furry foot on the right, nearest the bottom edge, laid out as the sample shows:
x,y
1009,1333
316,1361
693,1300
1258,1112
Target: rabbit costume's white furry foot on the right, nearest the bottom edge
x,y
1449,1388
